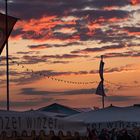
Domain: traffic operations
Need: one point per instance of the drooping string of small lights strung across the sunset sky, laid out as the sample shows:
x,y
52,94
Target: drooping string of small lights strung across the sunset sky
x,y
71,82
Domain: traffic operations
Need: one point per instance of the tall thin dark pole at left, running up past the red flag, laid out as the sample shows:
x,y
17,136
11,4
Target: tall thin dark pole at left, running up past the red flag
x,y
7,54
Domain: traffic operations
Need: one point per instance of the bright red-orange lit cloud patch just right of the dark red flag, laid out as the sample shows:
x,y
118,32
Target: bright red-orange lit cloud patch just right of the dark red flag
x,y
40,29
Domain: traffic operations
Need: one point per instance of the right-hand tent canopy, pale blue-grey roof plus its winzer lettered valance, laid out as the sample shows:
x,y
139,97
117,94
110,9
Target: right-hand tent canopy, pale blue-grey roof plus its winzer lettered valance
x,y
110,117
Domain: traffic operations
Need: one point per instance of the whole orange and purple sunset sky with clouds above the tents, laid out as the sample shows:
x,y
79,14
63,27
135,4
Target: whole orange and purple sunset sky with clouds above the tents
x,y
56,46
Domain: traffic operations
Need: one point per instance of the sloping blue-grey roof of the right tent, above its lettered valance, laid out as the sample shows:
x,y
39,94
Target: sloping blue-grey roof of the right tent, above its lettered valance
x,y
109,114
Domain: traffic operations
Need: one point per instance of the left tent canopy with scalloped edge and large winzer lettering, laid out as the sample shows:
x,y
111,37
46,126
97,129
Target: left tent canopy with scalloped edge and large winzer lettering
x,y
28,121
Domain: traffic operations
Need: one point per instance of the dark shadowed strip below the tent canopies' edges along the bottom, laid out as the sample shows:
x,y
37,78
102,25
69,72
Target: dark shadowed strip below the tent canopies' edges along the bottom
x,y
93,134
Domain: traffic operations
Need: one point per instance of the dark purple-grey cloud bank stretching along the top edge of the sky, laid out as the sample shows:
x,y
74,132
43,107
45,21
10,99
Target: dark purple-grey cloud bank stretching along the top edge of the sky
x,y
60,7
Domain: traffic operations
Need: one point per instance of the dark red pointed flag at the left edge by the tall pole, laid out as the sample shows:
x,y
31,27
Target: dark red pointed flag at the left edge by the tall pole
x,y
11,22
